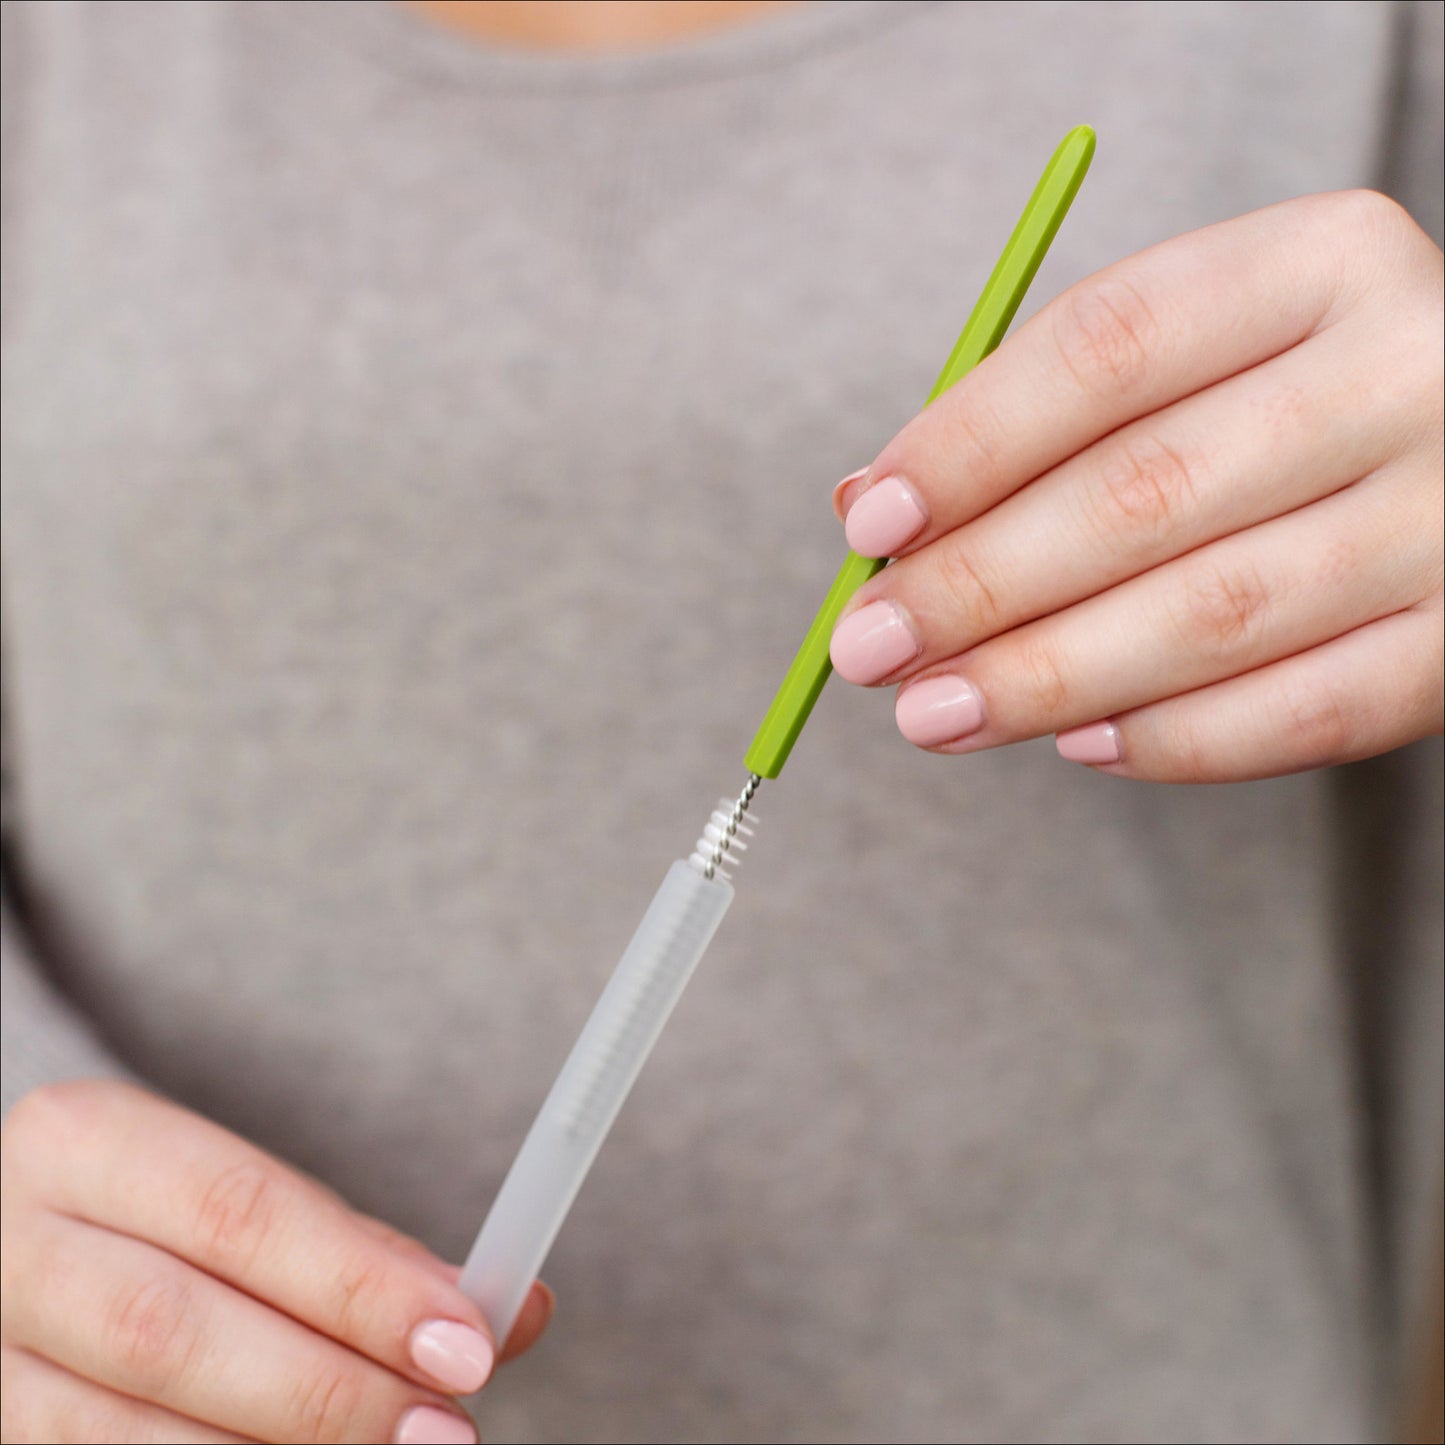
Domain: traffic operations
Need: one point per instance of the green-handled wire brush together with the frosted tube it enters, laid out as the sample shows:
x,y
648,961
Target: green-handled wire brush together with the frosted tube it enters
x,y
689,908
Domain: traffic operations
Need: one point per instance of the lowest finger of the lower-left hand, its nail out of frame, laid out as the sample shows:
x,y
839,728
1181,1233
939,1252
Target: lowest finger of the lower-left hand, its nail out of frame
x,y
40,1401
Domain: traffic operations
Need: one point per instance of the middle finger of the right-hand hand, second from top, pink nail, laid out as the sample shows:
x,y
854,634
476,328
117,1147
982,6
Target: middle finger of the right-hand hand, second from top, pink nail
x,y
1245,452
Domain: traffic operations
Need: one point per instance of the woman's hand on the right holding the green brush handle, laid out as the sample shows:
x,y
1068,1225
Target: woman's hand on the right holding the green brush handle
x,y
1189,518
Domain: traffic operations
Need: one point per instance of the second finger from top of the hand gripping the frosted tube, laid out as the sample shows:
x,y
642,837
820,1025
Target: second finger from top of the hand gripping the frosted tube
x,y
134,1319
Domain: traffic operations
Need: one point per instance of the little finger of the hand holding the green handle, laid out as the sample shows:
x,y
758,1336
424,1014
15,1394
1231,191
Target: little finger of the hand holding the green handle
x,y
1355,697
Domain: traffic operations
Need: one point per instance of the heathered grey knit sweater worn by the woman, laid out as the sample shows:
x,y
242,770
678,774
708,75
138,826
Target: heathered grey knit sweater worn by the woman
x,y
417,470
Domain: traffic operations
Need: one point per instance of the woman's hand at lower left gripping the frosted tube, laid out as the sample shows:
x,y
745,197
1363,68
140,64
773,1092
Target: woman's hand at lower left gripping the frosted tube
x,y
165,1281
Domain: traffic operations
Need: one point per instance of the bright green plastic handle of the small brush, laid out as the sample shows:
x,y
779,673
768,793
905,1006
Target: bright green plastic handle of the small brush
x,y
982,333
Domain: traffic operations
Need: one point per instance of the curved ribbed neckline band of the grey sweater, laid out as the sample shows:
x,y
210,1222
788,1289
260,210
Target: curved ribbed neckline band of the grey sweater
x,y
401,38
